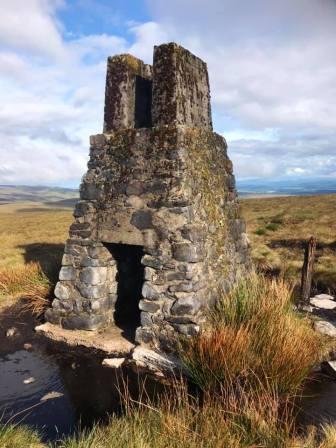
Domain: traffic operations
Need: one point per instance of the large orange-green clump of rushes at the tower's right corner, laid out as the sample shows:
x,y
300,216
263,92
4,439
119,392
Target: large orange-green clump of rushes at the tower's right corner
x,y
255,337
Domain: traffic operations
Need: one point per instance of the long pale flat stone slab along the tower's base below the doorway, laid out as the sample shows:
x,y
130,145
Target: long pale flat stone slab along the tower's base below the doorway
x,y
110,341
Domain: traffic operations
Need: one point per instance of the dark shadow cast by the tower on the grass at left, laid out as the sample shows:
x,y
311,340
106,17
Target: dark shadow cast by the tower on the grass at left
x,y
48,255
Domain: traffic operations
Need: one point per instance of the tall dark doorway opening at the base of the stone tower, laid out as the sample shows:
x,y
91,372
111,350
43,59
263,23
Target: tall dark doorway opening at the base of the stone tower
x,y
130,278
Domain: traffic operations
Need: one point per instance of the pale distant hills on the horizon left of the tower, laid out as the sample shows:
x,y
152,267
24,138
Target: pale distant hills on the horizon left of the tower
x,y
52,196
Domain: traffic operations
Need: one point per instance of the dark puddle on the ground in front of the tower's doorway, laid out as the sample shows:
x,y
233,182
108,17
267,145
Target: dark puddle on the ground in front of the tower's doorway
x,y
86,392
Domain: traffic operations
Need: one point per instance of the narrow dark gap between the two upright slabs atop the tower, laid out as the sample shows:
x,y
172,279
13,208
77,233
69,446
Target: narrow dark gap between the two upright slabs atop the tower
x,y
143,102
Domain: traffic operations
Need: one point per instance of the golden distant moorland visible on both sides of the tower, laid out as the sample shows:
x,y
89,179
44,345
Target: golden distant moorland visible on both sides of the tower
x,y
278,229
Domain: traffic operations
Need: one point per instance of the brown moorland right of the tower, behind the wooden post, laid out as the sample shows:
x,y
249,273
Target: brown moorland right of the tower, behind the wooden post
x,y
279,228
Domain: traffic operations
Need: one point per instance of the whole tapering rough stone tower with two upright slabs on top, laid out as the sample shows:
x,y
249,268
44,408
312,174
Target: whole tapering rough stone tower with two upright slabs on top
x,y
157,231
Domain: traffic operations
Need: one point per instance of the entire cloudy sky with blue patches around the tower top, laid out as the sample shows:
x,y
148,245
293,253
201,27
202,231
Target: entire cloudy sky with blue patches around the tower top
x,y
272,69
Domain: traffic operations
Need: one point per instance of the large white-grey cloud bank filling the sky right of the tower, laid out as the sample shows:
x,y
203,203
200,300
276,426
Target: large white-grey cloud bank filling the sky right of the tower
x,y
272,70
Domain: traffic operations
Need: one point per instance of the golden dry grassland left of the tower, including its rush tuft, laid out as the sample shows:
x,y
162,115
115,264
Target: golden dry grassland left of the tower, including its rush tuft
x,y
32,239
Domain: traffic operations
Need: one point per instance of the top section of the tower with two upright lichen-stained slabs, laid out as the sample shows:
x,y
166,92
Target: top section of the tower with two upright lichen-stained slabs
x,y
175,90
